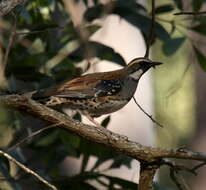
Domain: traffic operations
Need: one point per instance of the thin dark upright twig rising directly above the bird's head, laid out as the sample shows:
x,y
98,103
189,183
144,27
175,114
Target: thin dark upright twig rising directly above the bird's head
x,y
151,33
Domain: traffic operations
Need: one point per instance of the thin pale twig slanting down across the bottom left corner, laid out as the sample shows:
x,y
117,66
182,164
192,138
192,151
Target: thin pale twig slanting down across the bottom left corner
x,y
27,170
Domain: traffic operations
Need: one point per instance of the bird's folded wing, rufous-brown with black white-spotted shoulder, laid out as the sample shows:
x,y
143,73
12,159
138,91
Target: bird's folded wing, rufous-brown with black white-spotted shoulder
x,y
91,85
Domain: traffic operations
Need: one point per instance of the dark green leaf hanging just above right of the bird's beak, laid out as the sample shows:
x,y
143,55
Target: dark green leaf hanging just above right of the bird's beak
x,y
172,45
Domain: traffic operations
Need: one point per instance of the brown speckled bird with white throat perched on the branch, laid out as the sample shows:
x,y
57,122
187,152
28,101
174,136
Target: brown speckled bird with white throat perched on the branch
x,y
99,93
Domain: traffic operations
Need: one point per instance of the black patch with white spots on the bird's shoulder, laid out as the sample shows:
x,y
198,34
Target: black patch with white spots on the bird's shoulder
x,y
108,88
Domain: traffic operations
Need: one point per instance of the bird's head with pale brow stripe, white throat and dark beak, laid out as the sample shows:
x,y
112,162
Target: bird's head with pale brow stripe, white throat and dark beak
x,y
138,66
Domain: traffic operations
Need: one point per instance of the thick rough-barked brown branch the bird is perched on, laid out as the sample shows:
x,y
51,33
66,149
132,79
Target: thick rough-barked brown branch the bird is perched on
x,y
99,135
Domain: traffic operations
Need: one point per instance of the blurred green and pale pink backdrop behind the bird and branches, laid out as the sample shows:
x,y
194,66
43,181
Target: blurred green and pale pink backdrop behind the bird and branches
x,y
44,42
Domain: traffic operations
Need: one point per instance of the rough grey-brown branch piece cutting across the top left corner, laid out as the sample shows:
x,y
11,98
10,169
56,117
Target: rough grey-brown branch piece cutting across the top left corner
x,y
7,6
